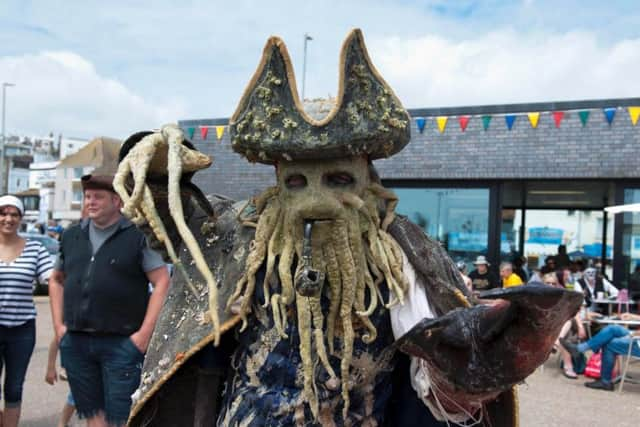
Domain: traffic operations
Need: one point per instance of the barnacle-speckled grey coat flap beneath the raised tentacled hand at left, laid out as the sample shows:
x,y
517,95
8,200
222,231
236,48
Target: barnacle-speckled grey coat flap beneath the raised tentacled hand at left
x,y
184,326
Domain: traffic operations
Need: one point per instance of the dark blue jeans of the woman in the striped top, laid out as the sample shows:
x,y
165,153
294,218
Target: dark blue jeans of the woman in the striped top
x,y
16,348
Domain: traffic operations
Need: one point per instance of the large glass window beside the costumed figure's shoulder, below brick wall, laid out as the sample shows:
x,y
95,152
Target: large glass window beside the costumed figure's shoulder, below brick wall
x,y
457,217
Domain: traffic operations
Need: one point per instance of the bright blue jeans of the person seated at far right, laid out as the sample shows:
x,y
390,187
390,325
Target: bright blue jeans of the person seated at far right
x,y
613,340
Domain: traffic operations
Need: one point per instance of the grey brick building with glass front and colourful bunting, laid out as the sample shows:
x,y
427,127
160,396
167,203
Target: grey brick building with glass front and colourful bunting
x,y
496,180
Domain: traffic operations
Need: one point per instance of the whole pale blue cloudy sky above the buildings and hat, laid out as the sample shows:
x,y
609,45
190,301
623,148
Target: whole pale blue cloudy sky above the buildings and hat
x,y
89,68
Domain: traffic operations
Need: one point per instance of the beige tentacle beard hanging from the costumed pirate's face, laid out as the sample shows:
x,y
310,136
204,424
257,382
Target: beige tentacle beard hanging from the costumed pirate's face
x,y
356,254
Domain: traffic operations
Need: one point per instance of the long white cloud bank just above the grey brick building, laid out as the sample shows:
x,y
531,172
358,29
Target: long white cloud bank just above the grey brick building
x,y
508,67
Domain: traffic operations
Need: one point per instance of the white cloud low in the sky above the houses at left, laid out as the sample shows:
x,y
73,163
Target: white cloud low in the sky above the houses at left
x,y
60,91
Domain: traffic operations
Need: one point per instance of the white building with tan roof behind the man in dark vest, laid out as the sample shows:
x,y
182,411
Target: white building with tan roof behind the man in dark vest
x,y
100,153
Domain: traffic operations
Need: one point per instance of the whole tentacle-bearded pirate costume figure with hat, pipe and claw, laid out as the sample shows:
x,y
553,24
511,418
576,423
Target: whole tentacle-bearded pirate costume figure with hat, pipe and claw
x,y
313,304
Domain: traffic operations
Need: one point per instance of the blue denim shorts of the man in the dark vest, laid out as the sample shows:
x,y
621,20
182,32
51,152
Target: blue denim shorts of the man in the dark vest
x,y
103,372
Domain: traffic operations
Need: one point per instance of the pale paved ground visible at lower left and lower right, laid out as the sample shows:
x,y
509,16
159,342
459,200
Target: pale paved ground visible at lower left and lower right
x,y
547,398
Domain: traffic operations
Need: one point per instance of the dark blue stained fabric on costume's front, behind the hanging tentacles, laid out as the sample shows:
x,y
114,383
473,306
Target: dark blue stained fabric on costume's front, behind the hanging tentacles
x,y
266,384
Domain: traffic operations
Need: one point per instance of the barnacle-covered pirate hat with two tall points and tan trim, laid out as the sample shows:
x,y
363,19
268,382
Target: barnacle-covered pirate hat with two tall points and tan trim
x,y
270,123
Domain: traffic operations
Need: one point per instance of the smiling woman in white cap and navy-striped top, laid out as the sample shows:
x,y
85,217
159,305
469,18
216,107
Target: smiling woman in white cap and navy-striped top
x,y
21,262
